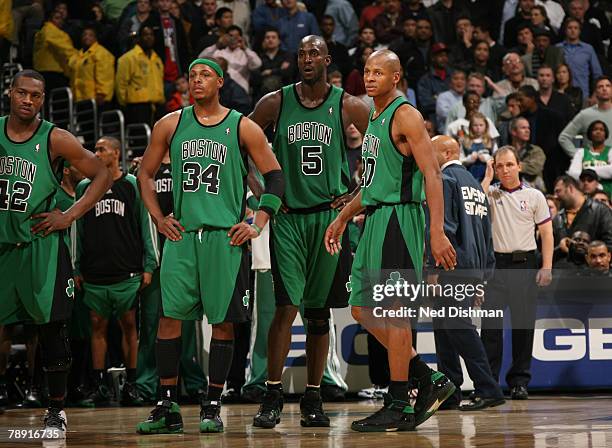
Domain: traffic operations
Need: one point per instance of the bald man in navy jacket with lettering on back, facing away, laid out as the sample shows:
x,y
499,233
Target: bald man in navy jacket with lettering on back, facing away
x,y
467,225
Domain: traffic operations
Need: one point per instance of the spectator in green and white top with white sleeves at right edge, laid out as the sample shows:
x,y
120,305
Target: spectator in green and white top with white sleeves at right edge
x,y
596,156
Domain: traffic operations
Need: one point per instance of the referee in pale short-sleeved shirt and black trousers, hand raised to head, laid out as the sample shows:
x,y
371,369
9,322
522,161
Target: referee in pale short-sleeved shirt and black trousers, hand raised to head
x,y
516,211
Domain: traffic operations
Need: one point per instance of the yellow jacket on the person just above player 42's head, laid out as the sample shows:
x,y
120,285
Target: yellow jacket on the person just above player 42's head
x,y
52,50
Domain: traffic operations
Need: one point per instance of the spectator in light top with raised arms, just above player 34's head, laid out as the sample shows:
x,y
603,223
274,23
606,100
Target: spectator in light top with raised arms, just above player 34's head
x,y
241,59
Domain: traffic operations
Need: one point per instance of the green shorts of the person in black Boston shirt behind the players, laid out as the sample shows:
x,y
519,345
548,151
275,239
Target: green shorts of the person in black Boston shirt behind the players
x,y
112,300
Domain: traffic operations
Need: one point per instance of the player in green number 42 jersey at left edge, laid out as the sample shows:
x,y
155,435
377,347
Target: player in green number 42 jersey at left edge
x,y
35,267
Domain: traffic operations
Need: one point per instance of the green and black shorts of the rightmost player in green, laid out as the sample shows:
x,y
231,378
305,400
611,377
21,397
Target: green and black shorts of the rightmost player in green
x,y
393,239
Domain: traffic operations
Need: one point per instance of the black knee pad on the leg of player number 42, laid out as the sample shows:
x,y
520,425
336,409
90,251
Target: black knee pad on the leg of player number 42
x,y
55,347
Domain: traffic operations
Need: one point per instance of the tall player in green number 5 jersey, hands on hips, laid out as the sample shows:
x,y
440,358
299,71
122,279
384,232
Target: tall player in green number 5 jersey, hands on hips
x,y
309,119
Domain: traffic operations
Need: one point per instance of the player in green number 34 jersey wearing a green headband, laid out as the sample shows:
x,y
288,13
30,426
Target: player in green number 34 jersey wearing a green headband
x,y
204,265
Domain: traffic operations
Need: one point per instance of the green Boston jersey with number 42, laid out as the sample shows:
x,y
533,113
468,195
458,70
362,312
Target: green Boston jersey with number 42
x,y
27,182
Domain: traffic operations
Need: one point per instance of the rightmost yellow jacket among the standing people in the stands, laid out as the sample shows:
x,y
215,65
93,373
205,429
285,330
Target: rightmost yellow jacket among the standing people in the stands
x,y
140,79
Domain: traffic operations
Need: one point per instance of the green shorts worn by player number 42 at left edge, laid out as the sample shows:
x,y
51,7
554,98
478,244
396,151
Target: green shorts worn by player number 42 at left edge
x,y
37,280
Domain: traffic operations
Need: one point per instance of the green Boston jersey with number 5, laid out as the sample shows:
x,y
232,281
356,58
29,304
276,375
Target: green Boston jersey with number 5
x,y
309,145
